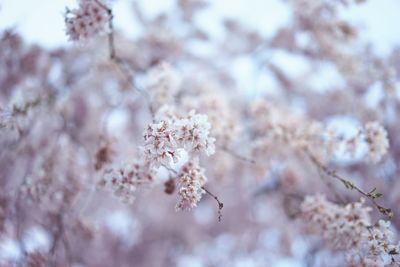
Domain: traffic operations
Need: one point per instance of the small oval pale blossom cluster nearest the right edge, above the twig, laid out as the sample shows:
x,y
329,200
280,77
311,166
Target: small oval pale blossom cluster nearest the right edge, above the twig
x,y
377,139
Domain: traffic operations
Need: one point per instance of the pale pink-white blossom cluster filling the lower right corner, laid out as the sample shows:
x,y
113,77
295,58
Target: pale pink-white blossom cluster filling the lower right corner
x,y
349,228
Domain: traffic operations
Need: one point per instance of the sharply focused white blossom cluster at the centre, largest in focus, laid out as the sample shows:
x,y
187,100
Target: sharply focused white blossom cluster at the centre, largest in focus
x,y
164,139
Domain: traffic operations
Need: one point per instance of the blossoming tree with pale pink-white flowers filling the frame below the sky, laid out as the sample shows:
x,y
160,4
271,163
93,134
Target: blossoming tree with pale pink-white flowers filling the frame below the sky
x,y
145,152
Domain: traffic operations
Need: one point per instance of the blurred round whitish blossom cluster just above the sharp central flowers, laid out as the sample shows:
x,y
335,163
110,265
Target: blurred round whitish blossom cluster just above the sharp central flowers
x,y
162,82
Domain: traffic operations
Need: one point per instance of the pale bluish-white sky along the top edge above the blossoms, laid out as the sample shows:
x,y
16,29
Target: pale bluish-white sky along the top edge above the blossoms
x,y
42,22
